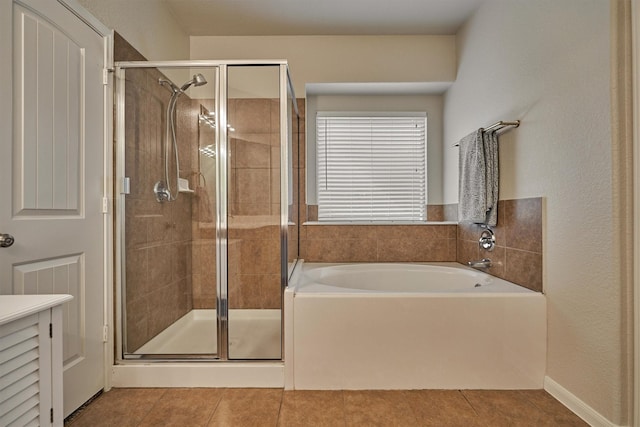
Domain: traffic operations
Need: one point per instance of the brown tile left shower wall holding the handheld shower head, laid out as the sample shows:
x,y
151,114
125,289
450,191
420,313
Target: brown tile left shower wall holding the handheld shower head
x,y
158,235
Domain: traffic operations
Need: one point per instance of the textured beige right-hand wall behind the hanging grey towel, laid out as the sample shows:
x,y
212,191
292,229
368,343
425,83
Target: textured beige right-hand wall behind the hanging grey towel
x,y
547,63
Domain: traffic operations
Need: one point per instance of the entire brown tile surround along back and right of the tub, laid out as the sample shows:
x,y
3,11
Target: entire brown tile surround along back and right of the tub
x,y
516,258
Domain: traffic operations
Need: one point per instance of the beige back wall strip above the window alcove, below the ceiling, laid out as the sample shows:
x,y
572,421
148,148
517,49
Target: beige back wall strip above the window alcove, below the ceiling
x,y
342,59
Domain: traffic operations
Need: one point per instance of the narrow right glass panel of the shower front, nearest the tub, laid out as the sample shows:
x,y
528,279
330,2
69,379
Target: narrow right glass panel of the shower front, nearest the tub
x,y
255,247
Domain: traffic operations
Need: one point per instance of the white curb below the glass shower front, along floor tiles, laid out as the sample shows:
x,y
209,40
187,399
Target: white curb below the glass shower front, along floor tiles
x,y
258,375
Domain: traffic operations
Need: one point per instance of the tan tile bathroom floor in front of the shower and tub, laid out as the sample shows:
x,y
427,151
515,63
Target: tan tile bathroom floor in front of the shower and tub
x,y
275,407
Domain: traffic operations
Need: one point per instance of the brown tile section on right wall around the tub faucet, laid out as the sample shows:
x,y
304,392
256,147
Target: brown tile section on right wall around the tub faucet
x,y
517,256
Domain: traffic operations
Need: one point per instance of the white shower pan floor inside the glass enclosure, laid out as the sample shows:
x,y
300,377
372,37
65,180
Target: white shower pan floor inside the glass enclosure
x,y
253,334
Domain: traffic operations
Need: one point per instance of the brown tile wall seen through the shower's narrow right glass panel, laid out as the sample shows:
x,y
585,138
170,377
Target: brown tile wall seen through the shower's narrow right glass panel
x,y
254,204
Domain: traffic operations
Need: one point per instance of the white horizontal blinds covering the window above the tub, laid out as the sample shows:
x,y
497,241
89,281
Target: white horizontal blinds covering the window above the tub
x,y
360,206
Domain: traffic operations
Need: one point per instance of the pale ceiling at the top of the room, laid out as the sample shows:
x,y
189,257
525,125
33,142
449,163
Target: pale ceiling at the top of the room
x,y
321,17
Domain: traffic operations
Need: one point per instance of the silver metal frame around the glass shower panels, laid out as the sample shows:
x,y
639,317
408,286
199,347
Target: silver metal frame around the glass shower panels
x,y
222,148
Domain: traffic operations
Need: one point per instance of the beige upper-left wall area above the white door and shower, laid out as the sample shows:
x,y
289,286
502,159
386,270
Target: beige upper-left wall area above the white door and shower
x,y
147,24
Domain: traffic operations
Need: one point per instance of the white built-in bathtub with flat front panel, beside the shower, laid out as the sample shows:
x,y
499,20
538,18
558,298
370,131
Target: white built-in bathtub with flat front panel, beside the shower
x,y
411,326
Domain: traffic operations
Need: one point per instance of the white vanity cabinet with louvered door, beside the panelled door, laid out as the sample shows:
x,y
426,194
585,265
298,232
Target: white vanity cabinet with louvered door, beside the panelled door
x,y
31,360
